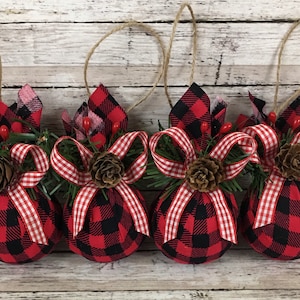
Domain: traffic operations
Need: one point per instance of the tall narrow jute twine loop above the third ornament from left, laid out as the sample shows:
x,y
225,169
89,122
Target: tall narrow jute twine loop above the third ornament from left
x,y
168,52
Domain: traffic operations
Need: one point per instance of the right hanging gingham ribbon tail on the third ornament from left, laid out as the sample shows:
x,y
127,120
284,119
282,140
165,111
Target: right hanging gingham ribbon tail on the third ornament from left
x,y
225,219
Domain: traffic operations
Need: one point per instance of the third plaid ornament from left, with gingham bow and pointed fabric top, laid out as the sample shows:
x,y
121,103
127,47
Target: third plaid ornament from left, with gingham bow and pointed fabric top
x,y
192,226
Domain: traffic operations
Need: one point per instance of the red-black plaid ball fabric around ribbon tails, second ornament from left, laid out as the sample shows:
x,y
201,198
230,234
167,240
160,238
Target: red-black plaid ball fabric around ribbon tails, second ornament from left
x,y
108,233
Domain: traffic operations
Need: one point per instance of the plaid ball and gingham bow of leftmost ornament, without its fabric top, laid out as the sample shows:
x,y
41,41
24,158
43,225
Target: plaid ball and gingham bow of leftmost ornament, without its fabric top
x,y
29,228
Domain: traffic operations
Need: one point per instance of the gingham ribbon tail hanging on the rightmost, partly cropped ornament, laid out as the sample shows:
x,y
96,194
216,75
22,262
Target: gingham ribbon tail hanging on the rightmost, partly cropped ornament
x,y
268,201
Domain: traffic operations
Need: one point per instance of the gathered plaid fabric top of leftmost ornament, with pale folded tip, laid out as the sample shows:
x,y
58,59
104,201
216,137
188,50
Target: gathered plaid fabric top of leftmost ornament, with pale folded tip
x,y
28,108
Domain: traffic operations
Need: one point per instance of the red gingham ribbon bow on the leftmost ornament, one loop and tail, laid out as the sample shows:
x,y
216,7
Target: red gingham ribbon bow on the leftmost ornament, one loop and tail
x,y
18,195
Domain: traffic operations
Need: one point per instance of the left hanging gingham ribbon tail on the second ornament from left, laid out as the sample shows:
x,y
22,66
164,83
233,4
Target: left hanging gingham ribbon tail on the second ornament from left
x,y
81,205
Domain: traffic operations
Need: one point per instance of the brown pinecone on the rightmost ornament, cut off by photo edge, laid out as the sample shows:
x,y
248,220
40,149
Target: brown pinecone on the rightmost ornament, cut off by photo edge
x,y
288,161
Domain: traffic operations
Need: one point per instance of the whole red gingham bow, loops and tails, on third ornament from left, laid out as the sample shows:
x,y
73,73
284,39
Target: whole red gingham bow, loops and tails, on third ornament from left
x,y
185,192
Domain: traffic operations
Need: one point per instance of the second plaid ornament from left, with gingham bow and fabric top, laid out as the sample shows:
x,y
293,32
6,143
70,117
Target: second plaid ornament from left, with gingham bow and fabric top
x,y
103,224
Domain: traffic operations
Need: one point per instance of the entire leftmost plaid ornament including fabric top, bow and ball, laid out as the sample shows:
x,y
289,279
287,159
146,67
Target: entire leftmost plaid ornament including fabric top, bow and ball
x,y
30,221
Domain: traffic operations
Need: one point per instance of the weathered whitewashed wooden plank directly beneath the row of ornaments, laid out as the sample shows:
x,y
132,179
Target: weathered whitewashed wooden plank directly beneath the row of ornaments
x,y
150,270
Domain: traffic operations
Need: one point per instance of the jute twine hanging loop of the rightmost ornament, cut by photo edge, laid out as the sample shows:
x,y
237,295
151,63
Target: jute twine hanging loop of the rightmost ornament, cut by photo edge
x,y
278,109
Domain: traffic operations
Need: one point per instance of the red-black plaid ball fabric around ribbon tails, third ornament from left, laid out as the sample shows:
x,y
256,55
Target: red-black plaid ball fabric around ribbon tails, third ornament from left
x,y
198,238
